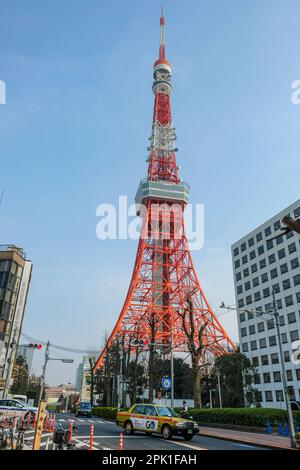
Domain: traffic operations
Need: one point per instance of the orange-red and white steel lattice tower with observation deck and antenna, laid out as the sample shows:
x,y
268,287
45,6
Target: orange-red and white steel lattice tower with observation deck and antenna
x,y
165,301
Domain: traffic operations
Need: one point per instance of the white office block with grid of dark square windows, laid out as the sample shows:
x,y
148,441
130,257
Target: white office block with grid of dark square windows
x,y
261,266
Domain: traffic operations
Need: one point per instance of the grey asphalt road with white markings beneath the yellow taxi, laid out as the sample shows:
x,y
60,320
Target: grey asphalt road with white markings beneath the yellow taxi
x,y
107,435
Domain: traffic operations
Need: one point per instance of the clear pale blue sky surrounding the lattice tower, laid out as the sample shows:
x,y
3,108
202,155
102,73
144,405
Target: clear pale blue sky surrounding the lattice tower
x,y
74,131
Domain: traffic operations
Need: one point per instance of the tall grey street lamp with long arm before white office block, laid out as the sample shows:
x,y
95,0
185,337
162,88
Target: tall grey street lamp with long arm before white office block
x,y
274,312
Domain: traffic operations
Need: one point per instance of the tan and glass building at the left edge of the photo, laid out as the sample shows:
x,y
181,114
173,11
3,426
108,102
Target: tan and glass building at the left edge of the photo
x,y
15,275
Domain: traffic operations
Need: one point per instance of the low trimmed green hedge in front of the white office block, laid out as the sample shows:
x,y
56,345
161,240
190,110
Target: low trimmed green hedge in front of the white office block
x,y
242,416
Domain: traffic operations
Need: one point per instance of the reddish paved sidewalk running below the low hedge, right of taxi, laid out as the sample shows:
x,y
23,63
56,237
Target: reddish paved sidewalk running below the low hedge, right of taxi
x,y
262,440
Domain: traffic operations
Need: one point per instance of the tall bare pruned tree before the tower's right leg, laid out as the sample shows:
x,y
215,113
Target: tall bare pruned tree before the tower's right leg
x,y
196,351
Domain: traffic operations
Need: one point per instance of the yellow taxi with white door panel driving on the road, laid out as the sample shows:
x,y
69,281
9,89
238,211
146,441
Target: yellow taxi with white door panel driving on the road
x,y
156,419
